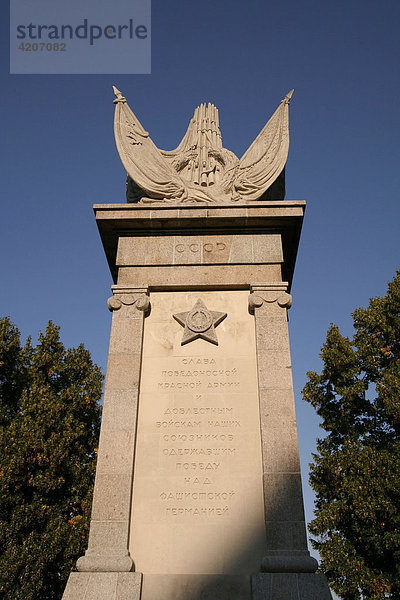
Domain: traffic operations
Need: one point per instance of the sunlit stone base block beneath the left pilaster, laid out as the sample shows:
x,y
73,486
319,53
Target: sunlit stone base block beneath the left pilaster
x,y
103,586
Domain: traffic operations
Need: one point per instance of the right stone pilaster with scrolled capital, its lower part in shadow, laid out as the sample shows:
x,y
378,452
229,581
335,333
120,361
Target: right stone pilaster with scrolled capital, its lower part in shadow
x,y
283,498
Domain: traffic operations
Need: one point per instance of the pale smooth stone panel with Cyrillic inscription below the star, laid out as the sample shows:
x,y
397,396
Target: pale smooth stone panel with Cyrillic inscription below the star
x,y
197,499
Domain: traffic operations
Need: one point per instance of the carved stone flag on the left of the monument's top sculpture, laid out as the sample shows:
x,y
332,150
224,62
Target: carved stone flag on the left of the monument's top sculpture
x,y
141,158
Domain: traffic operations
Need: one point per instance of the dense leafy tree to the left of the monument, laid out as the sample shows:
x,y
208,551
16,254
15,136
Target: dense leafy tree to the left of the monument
x,y
49,427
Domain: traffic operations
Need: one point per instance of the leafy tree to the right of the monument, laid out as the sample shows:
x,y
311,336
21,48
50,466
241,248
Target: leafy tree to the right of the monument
x,y
356,471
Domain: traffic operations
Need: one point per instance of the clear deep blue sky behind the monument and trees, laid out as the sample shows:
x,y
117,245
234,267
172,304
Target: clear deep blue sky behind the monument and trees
x,y
58,157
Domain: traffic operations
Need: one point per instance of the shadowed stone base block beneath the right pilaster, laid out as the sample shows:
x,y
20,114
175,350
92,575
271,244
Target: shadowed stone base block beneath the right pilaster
x,y
290,586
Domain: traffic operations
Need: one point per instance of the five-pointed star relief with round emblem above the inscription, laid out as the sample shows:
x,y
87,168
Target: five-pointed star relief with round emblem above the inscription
x,y
199,323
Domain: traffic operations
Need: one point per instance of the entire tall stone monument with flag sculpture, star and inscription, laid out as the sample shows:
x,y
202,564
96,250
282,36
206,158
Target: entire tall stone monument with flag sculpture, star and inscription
x,y
198,488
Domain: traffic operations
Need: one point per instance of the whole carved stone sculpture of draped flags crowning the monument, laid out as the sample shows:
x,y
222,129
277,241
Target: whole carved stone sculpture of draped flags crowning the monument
x,y
200,169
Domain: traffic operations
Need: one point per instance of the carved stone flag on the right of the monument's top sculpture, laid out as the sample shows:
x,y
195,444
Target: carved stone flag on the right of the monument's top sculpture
x,y
263,162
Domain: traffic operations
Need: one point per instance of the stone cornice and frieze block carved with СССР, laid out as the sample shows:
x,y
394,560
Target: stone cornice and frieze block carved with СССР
x,y
238,222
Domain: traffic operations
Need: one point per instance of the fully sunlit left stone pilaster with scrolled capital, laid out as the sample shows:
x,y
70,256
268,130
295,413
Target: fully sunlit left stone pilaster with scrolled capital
x,y
108,538
